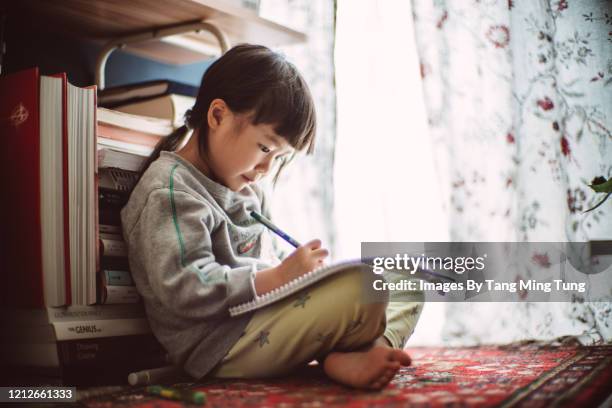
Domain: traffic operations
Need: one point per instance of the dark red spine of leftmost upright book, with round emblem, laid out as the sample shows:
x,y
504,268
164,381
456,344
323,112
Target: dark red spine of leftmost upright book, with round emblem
x,y
21,268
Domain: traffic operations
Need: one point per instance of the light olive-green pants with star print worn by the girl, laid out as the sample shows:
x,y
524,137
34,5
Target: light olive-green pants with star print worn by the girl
x,y
328,316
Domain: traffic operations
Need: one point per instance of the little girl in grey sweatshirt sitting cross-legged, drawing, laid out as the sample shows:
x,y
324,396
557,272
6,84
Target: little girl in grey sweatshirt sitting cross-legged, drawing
x,y
194,250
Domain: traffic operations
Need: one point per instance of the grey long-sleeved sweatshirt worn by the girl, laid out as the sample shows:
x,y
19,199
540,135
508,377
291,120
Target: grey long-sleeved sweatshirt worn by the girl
x,y
193,251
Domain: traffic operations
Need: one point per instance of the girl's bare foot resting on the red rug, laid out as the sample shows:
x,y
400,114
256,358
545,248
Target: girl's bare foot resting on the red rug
x,y
370,369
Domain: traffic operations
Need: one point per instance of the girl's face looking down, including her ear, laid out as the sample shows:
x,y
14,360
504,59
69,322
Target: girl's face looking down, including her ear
x,y
240,153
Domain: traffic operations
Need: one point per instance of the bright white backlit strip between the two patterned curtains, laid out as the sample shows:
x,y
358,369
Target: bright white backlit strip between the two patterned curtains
x,y
386,187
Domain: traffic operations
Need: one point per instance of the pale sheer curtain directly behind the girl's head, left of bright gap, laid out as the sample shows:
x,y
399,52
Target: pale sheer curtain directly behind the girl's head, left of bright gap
x,y
302,202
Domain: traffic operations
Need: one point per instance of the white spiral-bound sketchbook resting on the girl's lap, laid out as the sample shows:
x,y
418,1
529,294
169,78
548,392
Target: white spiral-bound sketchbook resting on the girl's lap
x,y
308,279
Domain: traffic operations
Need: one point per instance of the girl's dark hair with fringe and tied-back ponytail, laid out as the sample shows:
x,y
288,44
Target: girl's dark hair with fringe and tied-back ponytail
x,y
252,78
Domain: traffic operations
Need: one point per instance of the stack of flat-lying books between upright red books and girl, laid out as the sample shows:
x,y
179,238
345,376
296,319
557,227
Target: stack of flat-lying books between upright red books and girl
x,y
132,119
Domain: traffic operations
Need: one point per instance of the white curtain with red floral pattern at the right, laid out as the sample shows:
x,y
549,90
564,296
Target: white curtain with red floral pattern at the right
x,y
519,100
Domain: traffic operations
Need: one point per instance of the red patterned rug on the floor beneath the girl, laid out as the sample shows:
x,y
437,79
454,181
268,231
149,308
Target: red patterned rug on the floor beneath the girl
x,y
508,376
